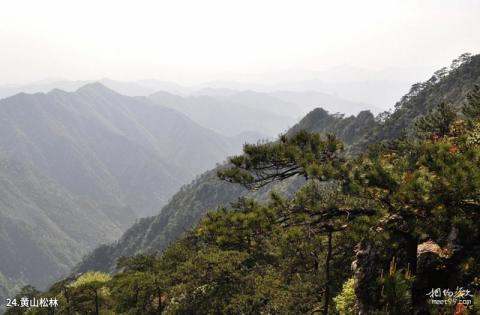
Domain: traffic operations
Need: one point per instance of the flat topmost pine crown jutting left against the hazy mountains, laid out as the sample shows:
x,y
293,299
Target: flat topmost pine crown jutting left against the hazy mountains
x,y
302,154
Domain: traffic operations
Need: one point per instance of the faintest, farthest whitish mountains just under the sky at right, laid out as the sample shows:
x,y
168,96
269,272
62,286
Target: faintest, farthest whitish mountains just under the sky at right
x,y
379,88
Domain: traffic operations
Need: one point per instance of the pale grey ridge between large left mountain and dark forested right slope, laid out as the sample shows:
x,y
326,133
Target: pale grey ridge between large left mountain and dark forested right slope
x,y
231,112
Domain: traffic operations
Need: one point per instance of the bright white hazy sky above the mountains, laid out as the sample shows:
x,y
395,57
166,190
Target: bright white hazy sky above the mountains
x,y
193,41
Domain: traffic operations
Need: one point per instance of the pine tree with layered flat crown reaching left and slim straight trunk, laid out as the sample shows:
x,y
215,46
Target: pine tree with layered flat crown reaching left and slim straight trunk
x,y
308,155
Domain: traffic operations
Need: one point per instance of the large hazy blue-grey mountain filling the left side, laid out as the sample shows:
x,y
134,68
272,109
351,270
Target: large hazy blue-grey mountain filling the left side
x,y
77,168
